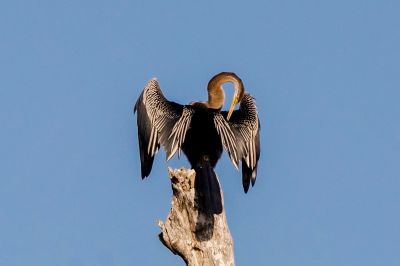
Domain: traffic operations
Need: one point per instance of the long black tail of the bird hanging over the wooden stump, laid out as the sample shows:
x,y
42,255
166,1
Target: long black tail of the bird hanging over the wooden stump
x,y
207,188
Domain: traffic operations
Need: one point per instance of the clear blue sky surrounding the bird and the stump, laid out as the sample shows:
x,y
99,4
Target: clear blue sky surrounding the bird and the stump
x,y
326,77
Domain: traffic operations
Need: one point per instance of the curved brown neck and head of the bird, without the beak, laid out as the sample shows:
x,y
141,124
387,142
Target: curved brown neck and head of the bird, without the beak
x,y
216,94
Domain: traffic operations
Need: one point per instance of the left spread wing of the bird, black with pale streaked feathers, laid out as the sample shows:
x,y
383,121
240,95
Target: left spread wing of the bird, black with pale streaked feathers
x,y
160,122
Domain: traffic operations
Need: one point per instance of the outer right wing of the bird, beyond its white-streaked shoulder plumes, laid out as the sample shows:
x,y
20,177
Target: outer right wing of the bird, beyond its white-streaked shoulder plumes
x,y
246,126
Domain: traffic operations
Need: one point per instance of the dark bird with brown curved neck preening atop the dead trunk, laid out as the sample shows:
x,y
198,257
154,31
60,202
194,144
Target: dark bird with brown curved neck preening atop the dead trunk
x,y
201,130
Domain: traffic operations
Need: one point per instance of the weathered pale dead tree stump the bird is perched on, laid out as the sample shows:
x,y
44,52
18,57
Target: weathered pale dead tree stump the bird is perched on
x,y
201,239
